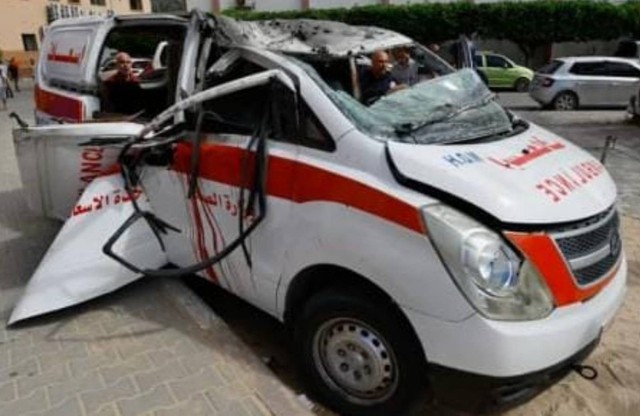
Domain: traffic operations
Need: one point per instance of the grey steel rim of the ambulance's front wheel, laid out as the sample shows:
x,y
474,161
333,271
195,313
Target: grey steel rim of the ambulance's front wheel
x,y
355,360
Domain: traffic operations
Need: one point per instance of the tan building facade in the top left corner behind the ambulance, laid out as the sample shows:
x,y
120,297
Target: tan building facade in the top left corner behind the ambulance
x,y
23,22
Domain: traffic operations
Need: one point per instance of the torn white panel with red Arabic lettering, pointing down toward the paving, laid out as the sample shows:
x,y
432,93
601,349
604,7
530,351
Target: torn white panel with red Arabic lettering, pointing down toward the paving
x,y
74,269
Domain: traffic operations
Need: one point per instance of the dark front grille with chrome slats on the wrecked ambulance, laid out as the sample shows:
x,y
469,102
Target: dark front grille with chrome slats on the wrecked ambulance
x,y
593,250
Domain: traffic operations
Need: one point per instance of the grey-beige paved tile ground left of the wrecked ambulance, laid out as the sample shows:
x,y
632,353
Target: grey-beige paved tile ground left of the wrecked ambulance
x,y
150,349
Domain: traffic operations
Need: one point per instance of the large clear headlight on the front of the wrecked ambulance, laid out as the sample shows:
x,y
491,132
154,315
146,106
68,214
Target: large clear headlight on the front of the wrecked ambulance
x,y
495,280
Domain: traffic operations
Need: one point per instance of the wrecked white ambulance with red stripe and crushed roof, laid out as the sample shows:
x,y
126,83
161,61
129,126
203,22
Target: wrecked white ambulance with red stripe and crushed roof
x,y
432,235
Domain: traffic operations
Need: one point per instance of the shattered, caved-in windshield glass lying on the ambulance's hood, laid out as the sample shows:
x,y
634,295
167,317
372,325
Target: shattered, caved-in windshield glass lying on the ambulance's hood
x,y
446,109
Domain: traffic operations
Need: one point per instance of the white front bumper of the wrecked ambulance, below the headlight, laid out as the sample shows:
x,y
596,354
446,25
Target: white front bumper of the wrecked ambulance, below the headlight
x,y
510,349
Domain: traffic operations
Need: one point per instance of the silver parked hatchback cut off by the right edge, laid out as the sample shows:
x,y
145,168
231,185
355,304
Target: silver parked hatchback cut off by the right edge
x,y
586,81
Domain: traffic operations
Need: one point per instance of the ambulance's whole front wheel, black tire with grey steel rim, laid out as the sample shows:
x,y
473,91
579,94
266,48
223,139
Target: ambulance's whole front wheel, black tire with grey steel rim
x,y
342,337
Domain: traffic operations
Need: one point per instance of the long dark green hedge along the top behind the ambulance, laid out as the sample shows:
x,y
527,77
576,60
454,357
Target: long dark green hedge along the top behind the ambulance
x,y
530,25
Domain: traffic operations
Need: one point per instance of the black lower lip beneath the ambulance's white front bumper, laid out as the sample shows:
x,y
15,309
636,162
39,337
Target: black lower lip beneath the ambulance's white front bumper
x,y
474,393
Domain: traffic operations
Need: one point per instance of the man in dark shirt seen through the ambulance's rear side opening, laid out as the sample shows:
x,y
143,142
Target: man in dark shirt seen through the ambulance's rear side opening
x,y
122,93
